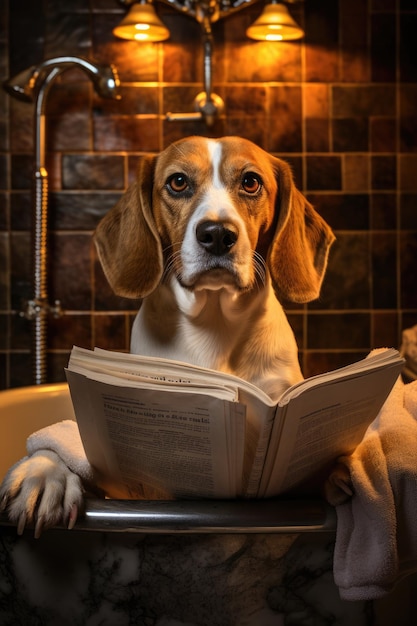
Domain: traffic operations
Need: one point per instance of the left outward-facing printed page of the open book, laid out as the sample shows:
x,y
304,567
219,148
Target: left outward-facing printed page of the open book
x,y
170,444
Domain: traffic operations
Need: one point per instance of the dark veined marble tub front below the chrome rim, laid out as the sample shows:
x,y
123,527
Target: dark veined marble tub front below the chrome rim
x,y
81,578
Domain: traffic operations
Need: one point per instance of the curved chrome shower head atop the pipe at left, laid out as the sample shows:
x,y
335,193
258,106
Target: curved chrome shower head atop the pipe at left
x,y
27,84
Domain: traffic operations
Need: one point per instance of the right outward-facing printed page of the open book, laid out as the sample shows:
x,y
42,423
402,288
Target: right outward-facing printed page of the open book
x,y
321,424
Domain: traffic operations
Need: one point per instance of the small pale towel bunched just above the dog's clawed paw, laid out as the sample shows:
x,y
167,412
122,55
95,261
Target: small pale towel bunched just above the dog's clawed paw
x,y
64,439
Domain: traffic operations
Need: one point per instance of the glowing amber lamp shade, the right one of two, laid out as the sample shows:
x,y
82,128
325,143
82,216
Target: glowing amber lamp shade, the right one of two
x,y
275,24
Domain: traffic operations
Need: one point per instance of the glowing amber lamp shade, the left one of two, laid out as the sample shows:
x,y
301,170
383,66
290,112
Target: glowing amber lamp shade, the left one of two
x,y
141,23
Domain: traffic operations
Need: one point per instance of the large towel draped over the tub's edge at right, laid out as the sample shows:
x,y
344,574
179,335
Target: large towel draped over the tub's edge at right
x,y
376,537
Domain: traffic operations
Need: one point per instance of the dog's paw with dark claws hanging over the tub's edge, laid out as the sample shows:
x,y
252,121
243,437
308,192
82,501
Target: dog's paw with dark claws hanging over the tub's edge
x,y
41,490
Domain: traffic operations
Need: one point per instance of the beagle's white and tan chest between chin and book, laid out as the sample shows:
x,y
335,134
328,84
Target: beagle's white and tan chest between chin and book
x,y
222,330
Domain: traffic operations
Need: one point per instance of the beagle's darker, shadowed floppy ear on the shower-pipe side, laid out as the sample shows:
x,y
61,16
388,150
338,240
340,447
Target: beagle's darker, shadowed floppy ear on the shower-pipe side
x,y
127,239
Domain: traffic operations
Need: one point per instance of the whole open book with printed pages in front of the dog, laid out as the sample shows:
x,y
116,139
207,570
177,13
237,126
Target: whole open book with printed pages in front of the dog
x,y
170,429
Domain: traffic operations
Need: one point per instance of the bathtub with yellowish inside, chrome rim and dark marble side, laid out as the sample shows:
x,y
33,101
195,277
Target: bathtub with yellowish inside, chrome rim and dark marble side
x,y
206,563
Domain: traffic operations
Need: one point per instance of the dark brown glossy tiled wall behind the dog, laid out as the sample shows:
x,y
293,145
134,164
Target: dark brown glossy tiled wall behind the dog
x,y
341,107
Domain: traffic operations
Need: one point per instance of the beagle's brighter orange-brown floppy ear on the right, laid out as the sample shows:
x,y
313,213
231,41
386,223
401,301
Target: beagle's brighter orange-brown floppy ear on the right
x,y
298,254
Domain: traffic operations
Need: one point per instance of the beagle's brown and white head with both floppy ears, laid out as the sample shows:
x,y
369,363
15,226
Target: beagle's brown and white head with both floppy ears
x,y
215,213
